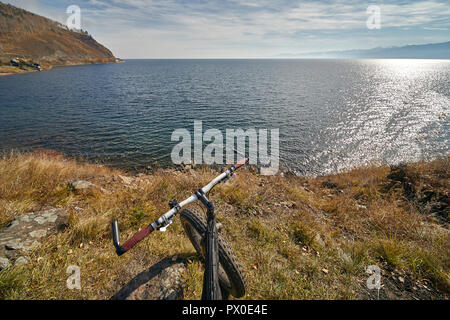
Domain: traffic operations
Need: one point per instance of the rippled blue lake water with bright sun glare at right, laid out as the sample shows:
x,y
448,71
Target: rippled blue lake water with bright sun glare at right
x,y
332,114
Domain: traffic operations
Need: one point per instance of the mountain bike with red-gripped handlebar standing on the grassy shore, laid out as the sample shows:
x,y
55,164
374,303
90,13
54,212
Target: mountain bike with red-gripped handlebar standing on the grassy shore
x,y
223,273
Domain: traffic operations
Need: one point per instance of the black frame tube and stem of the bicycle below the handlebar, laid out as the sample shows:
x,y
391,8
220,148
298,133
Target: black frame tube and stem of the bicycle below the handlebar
x,y
211,286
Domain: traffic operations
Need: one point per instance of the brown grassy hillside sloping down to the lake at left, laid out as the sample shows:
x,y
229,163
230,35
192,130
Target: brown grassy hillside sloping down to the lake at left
x,y
46,42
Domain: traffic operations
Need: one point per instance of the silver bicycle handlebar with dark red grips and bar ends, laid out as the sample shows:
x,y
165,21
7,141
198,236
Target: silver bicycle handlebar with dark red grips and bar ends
x,y
166,219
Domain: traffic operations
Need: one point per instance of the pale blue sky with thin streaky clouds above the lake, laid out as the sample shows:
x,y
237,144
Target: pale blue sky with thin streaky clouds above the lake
x,y
141,29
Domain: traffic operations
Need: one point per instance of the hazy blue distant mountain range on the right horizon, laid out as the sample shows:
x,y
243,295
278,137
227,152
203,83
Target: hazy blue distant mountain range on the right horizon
x,y
423,51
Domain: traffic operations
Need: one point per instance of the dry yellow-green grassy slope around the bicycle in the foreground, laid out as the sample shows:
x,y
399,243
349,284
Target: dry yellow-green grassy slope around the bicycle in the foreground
x,y
297,238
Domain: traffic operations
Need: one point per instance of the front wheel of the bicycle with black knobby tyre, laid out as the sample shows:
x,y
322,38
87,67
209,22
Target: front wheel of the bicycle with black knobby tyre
x,y
231,276
